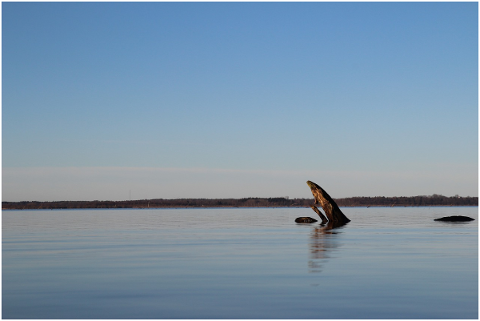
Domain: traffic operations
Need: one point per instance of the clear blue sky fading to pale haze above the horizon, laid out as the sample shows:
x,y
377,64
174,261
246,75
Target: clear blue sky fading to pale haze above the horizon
x,y
113,101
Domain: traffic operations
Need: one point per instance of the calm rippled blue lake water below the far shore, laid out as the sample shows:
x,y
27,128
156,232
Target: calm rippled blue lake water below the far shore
x,y
239,263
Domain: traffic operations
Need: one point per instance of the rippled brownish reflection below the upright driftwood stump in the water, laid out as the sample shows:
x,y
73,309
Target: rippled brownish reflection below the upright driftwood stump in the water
x,y
323,239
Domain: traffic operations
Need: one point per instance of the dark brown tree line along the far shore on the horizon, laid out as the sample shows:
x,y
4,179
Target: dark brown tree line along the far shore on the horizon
x,y
433,200
